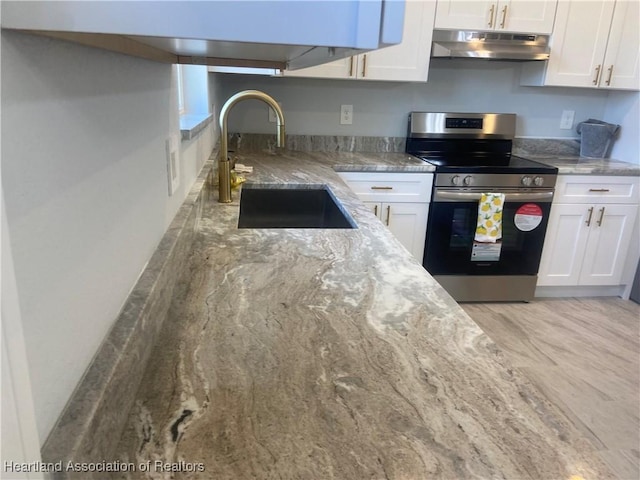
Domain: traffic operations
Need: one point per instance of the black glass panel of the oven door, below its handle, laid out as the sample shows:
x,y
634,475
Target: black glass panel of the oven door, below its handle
x,y
450,249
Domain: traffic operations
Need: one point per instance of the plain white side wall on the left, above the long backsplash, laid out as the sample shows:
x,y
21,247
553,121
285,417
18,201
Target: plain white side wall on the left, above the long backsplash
x,y
85,187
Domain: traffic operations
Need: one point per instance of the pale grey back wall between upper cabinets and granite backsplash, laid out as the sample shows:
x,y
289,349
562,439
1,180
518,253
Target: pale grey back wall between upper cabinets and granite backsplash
x,y
311,106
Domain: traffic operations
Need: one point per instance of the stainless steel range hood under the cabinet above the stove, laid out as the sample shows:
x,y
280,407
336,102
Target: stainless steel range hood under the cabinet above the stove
x,y
489,45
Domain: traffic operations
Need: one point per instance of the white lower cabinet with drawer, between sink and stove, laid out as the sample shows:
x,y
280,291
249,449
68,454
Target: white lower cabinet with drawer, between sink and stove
x,y
399,200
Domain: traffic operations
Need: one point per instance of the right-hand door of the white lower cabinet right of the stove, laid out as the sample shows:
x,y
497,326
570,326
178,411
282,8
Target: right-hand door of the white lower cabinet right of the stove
x,y
609,240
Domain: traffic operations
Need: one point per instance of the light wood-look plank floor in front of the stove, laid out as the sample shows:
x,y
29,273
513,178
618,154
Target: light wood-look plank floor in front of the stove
x,y
584,354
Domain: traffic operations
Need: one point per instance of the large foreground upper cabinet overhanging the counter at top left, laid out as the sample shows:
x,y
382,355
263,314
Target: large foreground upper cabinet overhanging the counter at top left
x,y
261,33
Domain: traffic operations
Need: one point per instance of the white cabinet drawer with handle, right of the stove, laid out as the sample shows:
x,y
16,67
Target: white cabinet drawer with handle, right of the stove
x,y
596,189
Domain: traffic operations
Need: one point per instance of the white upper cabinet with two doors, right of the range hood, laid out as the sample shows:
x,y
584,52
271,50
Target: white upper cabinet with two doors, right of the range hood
x,y
595,44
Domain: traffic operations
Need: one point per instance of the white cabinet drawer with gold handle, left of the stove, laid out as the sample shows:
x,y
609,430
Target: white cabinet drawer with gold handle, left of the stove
x,y
390,187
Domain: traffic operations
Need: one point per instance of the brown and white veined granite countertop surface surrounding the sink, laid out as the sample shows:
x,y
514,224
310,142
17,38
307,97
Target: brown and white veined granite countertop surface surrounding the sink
x,y
332,354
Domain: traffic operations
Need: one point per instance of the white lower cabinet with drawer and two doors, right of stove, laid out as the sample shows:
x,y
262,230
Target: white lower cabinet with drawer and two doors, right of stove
x,y
588,240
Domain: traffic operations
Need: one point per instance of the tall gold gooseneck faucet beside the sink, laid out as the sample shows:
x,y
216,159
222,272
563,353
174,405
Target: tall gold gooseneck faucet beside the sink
x,y
224,167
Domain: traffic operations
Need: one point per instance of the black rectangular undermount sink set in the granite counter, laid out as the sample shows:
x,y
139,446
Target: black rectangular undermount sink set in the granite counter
x,y
287,206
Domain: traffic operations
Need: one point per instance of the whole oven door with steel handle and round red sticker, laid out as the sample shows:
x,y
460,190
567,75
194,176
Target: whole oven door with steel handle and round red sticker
x,y
450,248
